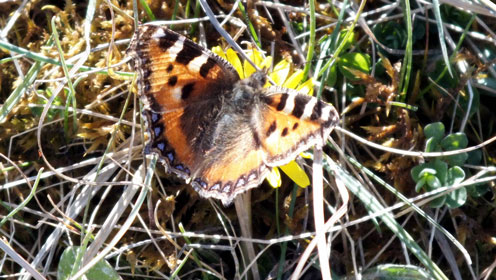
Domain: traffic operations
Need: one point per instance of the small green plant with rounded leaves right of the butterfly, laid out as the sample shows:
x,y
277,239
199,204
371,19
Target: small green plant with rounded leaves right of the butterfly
x,y
443,171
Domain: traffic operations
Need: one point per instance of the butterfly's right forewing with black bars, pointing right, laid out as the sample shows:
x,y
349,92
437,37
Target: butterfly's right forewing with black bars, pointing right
x,y
292,123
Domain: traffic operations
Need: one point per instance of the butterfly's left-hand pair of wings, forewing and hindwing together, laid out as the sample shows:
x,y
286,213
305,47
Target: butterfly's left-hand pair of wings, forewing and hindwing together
x,y
175,78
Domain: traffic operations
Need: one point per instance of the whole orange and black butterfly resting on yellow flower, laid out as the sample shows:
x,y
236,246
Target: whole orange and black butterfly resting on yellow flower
x,y
221,133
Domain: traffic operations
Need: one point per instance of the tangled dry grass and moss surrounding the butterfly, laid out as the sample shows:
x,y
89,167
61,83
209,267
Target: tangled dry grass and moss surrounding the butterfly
x,y
78,197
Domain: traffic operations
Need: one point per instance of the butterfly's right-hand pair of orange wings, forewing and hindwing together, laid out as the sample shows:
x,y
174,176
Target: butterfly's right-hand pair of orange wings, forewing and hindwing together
x,y
285,124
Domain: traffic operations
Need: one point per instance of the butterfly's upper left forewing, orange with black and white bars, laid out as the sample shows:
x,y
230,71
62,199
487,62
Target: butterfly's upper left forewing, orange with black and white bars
x,y
174,71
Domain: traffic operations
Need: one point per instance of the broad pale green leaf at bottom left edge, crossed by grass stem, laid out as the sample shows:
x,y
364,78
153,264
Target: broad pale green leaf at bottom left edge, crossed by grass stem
x,y
101,271
